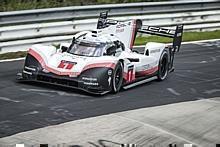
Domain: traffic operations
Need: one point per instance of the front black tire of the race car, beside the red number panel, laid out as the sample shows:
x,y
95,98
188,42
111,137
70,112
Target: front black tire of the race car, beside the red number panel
x,y
117,78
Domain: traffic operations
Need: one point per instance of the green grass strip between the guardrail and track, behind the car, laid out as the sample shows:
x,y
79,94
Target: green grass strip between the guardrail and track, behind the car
x,y
187,36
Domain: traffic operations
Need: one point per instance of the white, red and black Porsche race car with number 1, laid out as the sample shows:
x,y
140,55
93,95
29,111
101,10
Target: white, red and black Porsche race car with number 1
x,y
103,60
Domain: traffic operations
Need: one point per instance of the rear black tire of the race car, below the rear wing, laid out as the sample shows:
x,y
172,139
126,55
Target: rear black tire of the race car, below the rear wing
x,y
163,66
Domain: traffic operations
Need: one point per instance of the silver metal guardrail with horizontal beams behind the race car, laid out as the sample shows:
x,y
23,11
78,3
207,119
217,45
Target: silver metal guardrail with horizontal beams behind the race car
x,y
20,29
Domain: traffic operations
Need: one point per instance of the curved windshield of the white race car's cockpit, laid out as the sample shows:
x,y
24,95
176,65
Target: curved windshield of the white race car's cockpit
x,y
87,49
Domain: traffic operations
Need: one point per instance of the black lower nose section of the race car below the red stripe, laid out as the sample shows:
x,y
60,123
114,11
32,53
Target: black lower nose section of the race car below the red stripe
x,y
94,80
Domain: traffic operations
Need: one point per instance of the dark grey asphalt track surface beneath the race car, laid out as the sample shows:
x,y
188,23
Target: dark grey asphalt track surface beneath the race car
x,y
29,106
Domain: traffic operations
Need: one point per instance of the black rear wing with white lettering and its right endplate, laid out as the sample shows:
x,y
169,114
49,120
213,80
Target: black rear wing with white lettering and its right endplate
x,y
175,34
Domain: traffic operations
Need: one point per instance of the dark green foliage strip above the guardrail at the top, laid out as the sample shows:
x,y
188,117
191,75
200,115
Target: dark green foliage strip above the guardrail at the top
x,y
13,5
